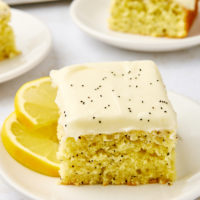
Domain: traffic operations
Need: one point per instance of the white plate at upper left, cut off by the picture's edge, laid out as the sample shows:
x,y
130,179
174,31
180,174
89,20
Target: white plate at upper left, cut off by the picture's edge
x,y
32,38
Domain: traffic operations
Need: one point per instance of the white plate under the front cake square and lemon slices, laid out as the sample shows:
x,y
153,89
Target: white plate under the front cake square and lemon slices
x,y
186,187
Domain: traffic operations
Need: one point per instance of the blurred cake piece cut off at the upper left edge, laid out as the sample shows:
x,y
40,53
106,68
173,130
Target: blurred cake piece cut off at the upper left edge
x,y
7,38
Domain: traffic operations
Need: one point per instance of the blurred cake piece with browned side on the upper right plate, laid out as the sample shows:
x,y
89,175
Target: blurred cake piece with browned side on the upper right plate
x,y
160,18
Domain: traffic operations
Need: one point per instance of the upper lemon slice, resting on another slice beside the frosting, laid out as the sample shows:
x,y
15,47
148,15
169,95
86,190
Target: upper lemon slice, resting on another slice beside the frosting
x,y
34,103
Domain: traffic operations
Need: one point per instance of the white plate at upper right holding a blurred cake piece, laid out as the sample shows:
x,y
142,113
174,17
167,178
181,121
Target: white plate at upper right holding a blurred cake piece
x,y
92,16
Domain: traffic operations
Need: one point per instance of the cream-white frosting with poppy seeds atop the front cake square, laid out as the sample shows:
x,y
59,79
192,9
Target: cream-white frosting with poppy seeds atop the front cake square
x,y
112,97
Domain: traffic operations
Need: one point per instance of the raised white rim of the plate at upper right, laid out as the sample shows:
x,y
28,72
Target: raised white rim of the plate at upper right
x,y
188,42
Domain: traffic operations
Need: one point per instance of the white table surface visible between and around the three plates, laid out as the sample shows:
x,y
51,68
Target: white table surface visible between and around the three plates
x,y
180,70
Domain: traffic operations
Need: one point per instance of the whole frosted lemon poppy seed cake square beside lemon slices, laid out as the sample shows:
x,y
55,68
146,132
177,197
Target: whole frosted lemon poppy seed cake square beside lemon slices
x,y
116,124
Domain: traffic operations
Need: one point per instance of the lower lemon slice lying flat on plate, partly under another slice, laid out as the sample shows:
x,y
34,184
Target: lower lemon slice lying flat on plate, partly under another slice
x,y
35,149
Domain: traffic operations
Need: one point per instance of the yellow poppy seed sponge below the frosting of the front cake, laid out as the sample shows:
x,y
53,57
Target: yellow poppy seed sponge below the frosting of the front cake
x,y
132,158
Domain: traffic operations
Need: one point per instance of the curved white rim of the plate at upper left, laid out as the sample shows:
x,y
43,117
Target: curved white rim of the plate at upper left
x,y
27,66
